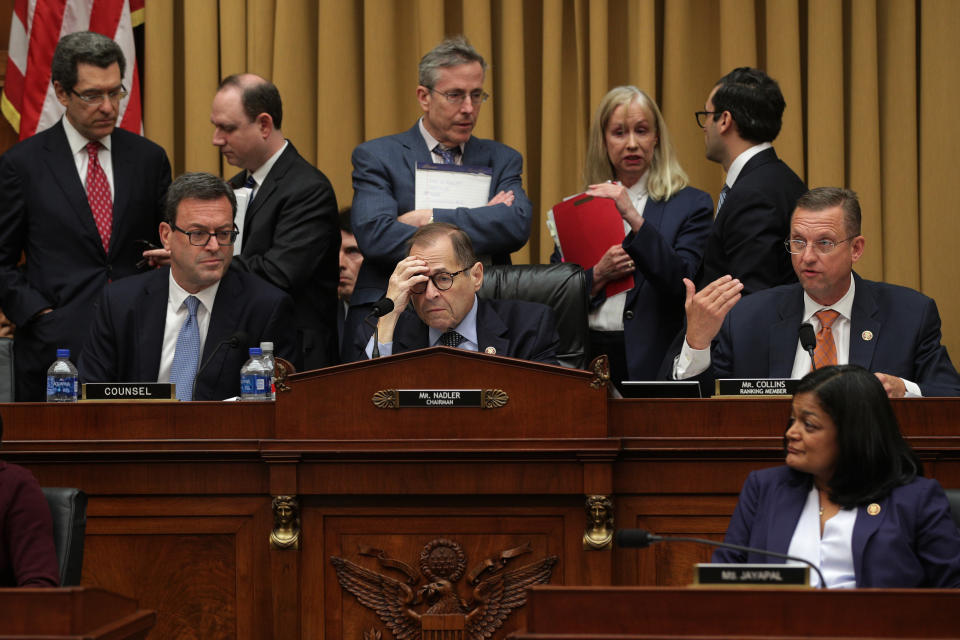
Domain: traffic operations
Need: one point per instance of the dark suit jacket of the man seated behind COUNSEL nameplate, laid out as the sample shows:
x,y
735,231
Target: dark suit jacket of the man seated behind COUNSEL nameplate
x,y
126,338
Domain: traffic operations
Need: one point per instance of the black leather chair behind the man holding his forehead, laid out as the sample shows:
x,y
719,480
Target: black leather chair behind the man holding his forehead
x,y
561,286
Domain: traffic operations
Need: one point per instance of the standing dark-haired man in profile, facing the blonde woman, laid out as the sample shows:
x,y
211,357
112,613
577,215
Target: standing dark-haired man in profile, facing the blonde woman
x,y
741,118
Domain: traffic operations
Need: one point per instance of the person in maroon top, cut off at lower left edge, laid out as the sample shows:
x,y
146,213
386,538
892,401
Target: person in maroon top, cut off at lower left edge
x,y
27,554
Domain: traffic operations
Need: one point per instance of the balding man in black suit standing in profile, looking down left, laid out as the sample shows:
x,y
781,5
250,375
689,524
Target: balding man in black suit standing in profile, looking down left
x,y
289,231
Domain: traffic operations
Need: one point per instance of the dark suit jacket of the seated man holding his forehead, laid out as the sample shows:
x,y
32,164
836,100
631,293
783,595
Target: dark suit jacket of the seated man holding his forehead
x,y
514,328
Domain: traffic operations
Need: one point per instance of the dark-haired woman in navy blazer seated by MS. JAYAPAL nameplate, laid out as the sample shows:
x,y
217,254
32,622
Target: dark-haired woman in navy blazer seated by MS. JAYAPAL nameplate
x,y
851,499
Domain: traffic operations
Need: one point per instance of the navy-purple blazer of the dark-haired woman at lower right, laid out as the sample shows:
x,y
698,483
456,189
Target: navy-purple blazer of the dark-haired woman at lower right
x,y
912,542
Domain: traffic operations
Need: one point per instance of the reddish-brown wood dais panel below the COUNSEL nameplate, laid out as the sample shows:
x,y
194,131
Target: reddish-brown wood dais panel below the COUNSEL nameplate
x,y
201,563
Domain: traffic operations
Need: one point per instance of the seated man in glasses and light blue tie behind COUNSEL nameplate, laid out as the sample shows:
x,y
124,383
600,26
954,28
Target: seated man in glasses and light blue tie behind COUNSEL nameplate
x,y
175,324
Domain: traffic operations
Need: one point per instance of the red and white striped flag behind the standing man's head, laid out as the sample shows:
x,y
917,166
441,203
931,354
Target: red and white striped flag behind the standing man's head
x,y
29,101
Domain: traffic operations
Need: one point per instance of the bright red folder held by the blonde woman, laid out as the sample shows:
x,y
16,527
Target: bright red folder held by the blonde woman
x,y
586,228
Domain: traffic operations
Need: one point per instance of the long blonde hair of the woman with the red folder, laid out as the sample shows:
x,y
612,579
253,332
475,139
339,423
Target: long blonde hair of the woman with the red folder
x,y
665,177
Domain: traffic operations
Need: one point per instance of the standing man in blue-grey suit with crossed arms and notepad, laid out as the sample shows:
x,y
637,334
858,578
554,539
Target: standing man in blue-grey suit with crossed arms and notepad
x,y
450,94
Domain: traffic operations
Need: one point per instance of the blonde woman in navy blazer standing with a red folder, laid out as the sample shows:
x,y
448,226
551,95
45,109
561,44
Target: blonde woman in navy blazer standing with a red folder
x,y
631,161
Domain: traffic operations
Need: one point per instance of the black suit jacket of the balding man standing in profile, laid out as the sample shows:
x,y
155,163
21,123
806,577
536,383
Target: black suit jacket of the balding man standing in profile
x,y
291,239
